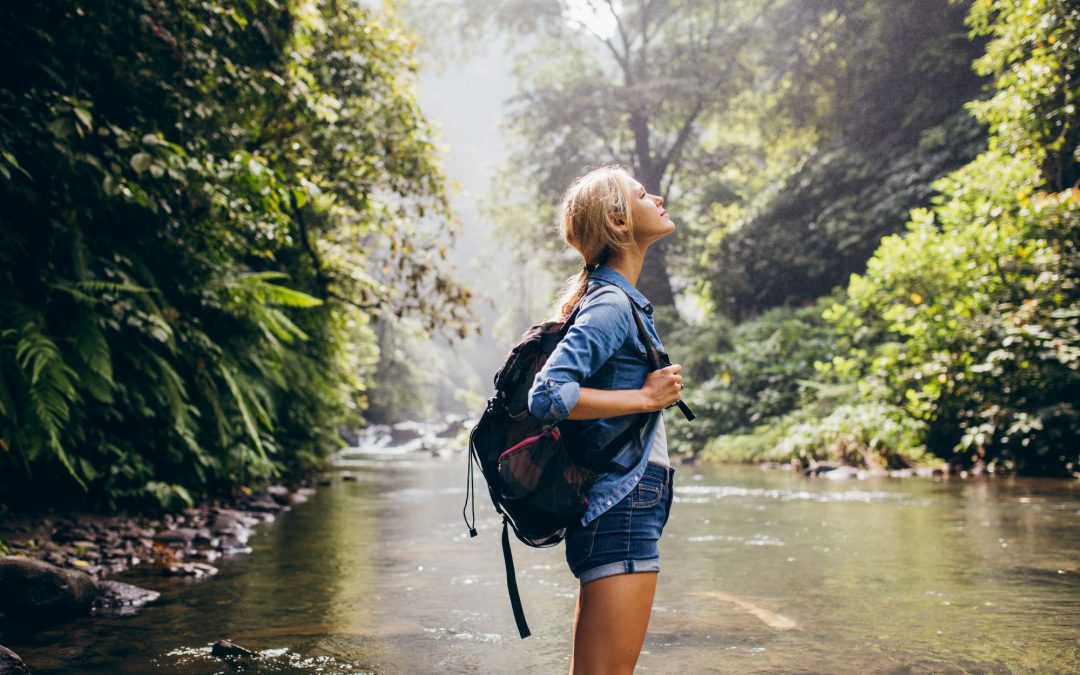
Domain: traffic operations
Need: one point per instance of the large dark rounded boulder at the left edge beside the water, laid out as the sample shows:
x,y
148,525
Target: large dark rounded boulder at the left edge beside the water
x,y
34,588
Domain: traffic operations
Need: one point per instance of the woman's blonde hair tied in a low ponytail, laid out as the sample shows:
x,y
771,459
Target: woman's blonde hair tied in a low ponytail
x,y
596,220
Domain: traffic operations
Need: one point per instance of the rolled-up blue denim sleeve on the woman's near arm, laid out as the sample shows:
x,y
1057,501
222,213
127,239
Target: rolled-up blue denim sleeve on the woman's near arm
x,y
600,330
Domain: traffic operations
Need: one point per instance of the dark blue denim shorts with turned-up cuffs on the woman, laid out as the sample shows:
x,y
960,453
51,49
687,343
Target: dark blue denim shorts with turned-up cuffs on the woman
x,y
624,539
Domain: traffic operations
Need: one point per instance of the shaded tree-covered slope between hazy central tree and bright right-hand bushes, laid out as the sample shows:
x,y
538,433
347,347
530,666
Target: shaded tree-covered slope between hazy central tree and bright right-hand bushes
x,y
883,85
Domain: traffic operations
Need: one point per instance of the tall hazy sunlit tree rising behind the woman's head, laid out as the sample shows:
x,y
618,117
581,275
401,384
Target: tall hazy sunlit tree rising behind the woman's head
x,y
616,83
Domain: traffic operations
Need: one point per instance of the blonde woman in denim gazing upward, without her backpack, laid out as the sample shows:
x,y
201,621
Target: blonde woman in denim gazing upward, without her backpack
x,y
600,374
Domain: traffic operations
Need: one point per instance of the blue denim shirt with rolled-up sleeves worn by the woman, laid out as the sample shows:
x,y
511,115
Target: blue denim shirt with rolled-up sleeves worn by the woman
x,y
602,350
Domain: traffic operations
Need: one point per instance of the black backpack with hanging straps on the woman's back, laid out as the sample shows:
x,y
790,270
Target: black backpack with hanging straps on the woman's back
x,y
538,475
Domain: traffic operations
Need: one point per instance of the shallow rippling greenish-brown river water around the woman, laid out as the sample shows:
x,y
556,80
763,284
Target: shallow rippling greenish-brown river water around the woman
x,y
763,573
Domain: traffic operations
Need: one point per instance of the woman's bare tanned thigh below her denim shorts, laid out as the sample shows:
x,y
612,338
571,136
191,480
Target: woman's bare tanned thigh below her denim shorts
x,y
610,626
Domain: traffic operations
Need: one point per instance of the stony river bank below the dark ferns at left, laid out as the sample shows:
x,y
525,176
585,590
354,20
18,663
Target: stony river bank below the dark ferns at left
x,y
60,566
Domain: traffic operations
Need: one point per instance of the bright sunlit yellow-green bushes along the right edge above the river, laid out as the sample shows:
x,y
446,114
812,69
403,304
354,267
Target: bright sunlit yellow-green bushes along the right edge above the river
x,y
969,320
